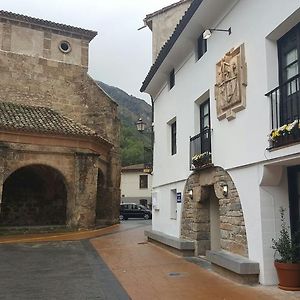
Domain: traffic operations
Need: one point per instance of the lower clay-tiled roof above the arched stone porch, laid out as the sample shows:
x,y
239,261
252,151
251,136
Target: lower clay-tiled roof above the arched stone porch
x,y
37,119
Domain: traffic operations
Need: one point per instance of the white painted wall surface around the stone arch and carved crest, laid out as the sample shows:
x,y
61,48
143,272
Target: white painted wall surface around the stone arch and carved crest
x,y
238,146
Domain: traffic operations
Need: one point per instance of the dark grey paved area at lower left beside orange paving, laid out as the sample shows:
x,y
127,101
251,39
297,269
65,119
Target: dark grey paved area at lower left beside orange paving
x,y
56,270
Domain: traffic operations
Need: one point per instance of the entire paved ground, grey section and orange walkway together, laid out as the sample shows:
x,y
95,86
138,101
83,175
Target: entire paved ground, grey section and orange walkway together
x,y
68,267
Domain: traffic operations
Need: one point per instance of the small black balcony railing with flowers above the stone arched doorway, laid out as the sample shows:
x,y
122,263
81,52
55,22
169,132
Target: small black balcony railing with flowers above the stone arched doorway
x,y
200,150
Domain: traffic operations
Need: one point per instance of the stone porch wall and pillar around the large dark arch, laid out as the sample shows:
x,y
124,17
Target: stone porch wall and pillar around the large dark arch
x,y
78,171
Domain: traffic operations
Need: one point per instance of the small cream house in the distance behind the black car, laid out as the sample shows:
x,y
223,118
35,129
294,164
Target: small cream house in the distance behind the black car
x,y
136,185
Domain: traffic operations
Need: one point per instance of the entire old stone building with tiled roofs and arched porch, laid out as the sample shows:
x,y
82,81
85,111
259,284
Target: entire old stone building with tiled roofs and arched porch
x,y
59,132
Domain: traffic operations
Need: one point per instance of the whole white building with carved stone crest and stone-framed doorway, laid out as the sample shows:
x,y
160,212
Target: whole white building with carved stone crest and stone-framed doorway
x,y
214,91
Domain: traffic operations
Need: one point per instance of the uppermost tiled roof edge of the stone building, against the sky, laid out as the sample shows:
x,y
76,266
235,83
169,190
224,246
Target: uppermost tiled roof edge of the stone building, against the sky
x,y
48,24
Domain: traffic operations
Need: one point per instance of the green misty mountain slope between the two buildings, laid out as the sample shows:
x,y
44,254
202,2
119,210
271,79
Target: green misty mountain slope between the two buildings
x,y
135,146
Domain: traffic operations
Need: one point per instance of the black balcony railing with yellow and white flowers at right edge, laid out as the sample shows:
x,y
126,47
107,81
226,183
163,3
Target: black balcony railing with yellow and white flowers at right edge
x,y
285,113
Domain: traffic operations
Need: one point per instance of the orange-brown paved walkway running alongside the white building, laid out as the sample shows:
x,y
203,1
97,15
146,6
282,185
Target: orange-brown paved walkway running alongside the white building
x,y
149,272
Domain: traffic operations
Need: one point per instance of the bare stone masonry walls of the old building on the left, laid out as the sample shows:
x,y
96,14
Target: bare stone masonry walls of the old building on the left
x,y
40,74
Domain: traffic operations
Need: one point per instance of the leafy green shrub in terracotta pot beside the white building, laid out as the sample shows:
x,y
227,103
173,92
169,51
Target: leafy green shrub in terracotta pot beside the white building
x,y
288,263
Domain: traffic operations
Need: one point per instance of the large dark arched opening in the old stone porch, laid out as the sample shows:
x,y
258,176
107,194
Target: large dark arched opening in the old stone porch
x,y
34,195
